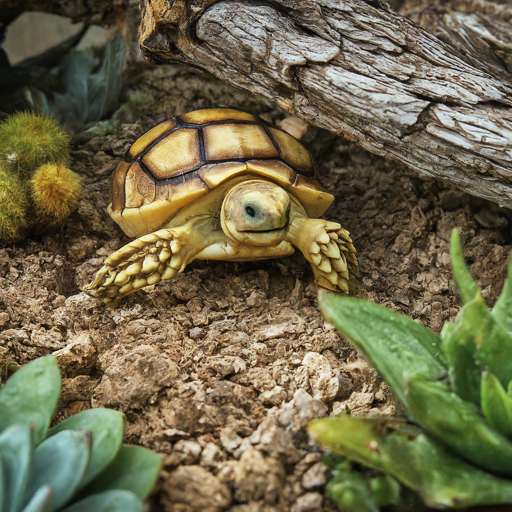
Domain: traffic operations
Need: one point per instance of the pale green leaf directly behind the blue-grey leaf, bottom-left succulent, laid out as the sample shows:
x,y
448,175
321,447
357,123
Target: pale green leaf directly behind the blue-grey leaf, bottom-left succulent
x,y
107,429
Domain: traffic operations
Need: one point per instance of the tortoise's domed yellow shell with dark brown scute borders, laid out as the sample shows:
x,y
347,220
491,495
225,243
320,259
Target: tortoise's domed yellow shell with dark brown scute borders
x,y
185,157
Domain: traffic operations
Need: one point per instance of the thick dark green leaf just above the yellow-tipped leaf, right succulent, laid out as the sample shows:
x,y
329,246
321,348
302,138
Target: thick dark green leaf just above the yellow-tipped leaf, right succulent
x,y
458,424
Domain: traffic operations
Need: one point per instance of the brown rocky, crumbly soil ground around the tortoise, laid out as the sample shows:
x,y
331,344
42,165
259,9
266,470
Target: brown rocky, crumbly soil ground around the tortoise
x,y
221,368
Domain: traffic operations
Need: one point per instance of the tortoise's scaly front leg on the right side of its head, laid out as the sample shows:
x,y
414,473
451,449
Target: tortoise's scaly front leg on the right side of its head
x,y
328,247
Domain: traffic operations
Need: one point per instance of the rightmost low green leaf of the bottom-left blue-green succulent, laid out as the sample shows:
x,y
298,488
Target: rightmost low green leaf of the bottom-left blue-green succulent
x,y
134,469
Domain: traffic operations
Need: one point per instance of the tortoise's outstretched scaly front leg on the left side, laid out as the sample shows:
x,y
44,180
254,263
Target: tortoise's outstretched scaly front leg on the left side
x,y
148,260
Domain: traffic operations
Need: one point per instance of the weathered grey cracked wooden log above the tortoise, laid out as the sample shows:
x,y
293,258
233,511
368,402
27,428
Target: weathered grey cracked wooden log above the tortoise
x,y
437,99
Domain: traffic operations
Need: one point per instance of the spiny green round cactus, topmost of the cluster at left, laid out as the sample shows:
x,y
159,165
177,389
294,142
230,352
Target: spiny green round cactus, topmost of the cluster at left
x,y
28,140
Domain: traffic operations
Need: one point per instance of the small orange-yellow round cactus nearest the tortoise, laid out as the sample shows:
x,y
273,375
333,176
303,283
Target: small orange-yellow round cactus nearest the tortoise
x,y
55,190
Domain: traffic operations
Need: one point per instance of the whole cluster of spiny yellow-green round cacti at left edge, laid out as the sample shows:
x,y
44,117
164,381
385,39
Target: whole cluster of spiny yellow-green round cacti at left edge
x,y
36,187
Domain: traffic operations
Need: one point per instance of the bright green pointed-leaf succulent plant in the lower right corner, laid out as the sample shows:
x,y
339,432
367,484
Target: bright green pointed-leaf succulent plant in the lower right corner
x,y
455,450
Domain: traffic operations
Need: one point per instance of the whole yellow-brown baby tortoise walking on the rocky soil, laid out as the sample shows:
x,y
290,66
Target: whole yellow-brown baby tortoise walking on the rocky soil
x,y
218,184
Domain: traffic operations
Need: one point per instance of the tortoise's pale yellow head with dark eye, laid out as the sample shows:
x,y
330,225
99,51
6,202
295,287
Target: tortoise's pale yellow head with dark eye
x,y
256,213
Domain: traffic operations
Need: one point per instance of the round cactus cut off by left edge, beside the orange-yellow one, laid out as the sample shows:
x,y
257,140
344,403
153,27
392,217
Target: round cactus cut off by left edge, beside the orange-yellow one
x,y
12,206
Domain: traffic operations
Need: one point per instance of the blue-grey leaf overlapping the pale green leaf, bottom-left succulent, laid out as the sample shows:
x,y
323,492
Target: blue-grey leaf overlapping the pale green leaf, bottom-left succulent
x,y
60,462
